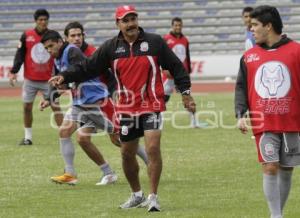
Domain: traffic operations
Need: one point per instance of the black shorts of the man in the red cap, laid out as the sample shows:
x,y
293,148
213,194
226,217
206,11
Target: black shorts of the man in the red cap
x,y
133,127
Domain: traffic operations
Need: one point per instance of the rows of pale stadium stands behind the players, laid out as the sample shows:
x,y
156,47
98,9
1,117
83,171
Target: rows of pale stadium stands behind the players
x,y
213,27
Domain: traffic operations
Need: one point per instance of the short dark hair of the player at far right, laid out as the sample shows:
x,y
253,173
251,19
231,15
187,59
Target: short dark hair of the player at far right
x,y
268,14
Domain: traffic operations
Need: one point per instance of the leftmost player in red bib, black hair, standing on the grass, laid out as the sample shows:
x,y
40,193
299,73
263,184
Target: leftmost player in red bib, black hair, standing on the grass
x,y
38,66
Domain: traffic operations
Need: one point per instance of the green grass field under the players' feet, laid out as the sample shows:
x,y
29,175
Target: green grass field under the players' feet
x,y
209,173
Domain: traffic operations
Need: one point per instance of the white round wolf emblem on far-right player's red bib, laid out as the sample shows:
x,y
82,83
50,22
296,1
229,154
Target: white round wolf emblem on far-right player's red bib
x,y
272,80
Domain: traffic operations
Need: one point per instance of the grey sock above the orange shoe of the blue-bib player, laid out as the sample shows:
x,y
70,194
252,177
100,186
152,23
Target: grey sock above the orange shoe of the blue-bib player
x,y
68,152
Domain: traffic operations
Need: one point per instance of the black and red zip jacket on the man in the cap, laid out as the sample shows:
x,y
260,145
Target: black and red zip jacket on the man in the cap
x,y
137,70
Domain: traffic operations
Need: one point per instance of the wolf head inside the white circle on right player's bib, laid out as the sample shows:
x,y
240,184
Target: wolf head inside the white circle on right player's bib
x,y
272,80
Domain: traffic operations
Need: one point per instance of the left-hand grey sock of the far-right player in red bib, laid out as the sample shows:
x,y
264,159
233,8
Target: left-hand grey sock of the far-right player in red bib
x,y
272,194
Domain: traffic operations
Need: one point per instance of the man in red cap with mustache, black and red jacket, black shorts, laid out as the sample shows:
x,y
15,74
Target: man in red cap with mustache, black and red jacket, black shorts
x,y
135,57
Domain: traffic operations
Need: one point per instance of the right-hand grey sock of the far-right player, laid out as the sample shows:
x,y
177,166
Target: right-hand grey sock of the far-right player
x,y
284,181
